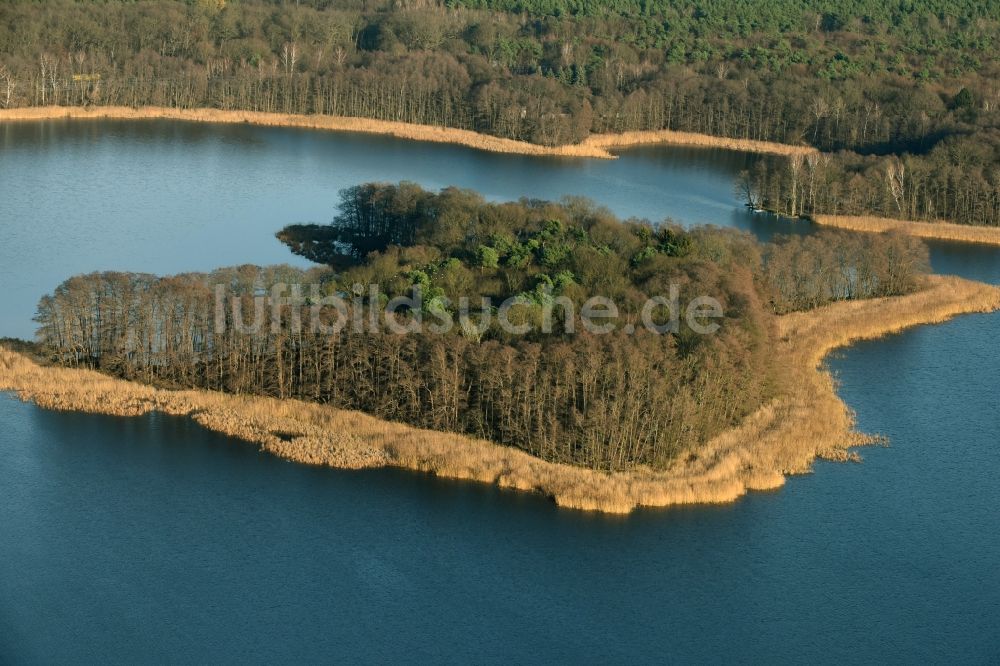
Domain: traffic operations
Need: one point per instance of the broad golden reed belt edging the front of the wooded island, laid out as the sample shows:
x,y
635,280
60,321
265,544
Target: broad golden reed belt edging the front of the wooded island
x,y
784,437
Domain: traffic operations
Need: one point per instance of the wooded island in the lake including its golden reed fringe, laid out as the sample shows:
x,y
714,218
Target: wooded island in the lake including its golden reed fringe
x,y
657,405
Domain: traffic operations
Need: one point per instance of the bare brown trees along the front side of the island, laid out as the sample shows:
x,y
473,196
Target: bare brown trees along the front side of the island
x,y
606,402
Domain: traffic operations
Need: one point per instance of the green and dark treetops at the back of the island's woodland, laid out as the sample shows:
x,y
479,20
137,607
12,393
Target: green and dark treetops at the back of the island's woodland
x,y
532,249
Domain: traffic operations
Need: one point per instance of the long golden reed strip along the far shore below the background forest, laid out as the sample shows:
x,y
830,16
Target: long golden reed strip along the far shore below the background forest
x,y
595,146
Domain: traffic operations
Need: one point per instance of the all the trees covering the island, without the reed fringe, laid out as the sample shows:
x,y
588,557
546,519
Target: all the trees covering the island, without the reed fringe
x,y
611,399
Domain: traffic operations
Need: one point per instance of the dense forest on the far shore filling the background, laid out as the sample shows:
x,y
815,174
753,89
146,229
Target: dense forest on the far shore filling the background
x,y
873,84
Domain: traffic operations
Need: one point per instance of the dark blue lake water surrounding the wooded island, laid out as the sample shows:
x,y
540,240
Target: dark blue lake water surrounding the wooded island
x,y
151,539
